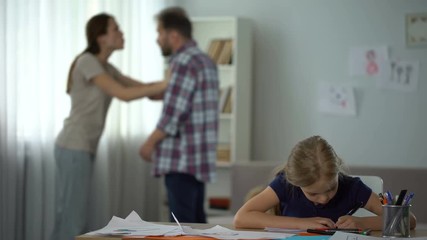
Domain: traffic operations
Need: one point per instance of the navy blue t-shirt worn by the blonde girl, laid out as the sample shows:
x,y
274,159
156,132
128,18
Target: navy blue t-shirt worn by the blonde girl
x,y
293,203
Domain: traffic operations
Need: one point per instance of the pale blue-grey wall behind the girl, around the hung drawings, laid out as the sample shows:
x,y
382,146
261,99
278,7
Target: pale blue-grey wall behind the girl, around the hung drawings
x,y
298,43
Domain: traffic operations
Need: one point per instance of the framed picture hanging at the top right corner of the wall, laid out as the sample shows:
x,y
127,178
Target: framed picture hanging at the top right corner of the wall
x,y
416,29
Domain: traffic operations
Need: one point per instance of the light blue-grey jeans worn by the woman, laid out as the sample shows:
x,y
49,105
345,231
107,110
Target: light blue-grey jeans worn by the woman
x,y
73,177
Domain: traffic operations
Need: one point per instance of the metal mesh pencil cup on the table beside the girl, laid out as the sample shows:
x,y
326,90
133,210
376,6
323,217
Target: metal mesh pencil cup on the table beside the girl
x,y
396,221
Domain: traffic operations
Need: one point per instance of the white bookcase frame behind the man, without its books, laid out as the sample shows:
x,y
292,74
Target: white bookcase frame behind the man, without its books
x,y
234,127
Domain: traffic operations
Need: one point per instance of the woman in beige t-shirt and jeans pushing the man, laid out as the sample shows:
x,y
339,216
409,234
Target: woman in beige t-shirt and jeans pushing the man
x,y
92,83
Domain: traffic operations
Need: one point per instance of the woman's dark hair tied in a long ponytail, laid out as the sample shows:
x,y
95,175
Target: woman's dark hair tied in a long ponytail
x,y
95,27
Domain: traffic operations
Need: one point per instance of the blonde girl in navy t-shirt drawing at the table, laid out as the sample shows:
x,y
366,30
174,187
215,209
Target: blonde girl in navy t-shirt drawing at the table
x,y
312,192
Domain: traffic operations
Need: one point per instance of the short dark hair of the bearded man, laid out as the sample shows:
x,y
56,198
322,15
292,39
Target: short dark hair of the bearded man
x,y
175,18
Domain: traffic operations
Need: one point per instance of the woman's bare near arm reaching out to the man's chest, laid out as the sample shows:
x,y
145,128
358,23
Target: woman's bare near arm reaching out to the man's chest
x,y
116,89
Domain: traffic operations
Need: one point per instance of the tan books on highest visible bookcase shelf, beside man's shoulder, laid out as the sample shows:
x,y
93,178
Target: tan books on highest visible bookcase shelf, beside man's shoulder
x,y
220,50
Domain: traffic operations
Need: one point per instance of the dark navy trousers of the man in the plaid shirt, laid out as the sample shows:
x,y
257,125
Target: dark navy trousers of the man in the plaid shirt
x,y
185,197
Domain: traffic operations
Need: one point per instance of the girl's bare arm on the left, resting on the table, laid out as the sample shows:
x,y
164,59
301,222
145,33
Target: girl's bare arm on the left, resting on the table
x,y
253,215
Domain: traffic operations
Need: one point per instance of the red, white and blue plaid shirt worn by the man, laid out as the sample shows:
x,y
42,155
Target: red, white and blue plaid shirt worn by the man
x,y
189,116
